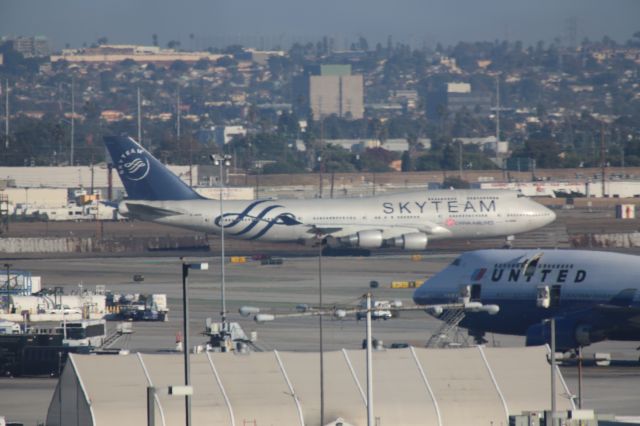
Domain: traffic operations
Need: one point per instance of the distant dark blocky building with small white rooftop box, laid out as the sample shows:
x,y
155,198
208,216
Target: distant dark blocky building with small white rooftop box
x,y
454,97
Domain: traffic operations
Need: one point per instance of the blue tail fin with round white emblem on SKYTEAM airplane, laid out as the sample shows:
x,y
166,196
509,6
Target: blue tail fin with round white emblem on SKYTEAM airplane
x,y
143,176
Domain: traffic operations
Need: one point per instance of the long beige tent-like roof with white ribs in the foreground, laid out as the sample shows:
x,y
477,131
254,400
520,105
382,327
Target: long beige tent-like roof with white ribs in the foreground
x,y
412,386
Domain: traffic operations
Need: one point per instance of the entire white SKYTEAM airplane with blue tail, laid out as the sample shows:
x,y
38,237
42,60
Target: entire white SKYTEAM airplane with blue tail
x,y
407,221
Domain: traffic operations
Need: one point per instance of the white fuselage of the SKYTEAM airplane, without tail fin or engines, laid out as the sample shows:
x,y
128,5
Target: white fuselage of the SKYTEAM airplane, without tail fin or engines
x,y
440,214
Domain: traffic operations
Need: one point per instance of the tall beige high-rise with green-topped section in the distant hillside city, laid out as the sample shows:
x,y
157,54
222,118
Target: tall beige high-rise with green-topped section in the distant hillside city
x,y
329,89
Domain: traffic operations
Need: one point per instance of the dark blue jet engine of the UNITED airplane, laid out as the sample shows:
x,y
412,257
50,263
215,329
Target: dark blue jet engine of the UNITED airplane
x,y
570,334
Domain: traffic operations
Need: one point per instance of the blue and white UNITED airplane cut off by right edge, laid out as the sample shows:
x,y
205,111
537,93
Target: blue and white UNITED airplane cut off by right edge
x,y
592,295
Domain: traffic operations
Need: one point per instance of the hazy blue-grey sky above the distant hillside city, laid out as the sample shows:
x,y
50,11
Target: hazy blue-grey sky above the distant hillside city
x,y
414,21
